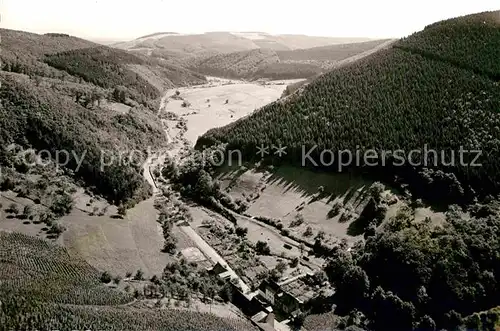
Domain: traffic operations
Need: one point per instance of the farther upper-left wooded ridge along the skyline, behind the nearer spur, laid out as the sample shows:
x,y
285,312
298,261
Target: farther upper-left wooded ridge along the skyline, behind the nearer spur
x,y
69,58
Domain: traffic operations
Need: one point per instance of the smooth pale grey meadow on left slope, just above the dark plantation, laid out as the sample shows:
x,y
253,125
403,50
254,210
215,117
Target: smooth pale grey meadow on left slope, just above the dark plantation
x,y
117,245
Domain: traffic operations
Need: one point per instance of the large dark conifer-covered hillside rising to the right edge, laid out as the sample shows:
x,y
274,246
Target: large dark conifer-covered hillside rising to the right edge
x,y
397,99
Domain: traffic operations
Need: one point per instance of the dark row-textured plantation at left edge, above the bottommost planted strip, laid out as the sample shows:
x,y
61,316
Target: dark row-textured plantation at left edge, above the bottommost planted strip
x,y
38,268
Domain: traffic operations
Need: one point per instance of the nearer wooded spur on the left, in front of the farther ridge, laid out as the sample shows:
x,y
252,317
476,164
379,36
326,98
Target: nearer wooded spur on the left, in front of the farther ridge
x,y
44,118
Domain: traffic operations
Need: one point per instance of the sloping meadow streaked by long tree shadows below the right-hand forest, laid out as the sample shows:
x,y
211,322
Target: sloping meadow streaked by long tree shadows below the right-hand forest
x,y
291,197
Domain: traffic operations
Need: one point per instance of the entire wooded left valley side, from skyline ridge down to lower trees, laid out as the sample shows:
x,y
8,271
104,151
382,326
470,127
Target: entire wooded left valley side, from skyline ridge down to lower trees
x,y
58,94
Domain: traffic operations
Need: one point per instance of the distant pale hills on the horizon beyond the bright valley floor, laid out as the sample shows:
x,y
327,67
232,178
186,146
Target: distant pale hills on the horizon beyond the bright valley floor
x,y
249,55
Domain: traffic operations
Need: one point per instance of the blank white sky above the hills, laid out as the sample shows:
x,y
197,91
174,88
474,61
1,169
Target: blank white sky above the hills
x,y
125,19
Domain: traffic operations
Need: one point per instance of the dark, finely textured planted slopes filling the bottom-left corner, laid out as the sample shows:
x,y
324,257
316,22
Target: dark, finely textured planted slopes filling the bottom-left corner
x,y
42,287
